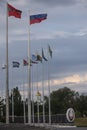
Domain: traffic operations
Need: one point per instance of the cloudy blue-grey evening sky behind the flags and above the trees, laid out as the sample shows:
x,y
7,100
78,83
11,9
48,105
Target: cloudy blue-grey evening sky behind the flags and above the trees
x,y
65,30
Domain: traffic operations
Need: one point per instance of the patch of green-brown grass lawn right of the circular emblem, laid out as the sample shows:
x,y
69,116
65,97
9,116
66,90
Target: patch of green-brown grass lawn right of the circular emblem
x,y
81,122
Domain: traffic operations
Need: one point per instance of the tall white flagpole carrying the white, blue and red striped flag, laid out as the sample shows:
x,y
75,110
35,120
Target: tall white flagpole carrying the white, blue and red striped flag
x,y
29,78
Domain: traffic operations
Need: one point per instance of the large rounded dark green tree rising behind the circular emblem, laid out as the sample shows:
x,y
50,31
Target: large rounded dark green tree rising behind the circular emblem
x,y
61,100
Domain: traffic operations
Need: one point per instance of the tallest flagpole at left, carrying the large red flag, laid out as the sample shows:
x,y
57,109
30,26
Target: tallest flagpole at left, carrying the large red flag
x,y
7,71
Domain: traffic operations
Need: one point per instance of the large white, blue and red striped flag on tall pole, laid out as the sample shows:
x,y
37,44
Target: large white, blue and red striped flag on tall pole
x,y
37,18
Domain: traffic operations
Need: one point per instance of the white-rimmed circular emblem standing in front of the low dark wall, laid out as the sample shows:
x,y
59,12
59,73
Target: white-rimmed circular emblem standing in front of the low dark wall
x,y
70,114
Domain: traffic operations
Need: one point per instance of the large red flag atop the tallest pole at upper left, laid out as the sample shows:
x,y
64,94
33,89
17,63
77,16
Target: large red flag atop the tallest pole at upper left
x,y
14,12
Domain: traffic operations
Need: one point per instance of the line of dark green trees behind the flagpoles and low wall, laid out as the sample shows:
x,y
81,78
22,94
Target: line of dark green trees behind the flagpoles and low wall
x,y
61,100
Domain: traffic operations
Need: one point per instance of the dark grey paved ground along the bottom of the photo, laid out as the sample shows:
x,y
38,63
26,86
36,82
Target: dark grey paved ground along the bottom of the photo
x,y
27,127
